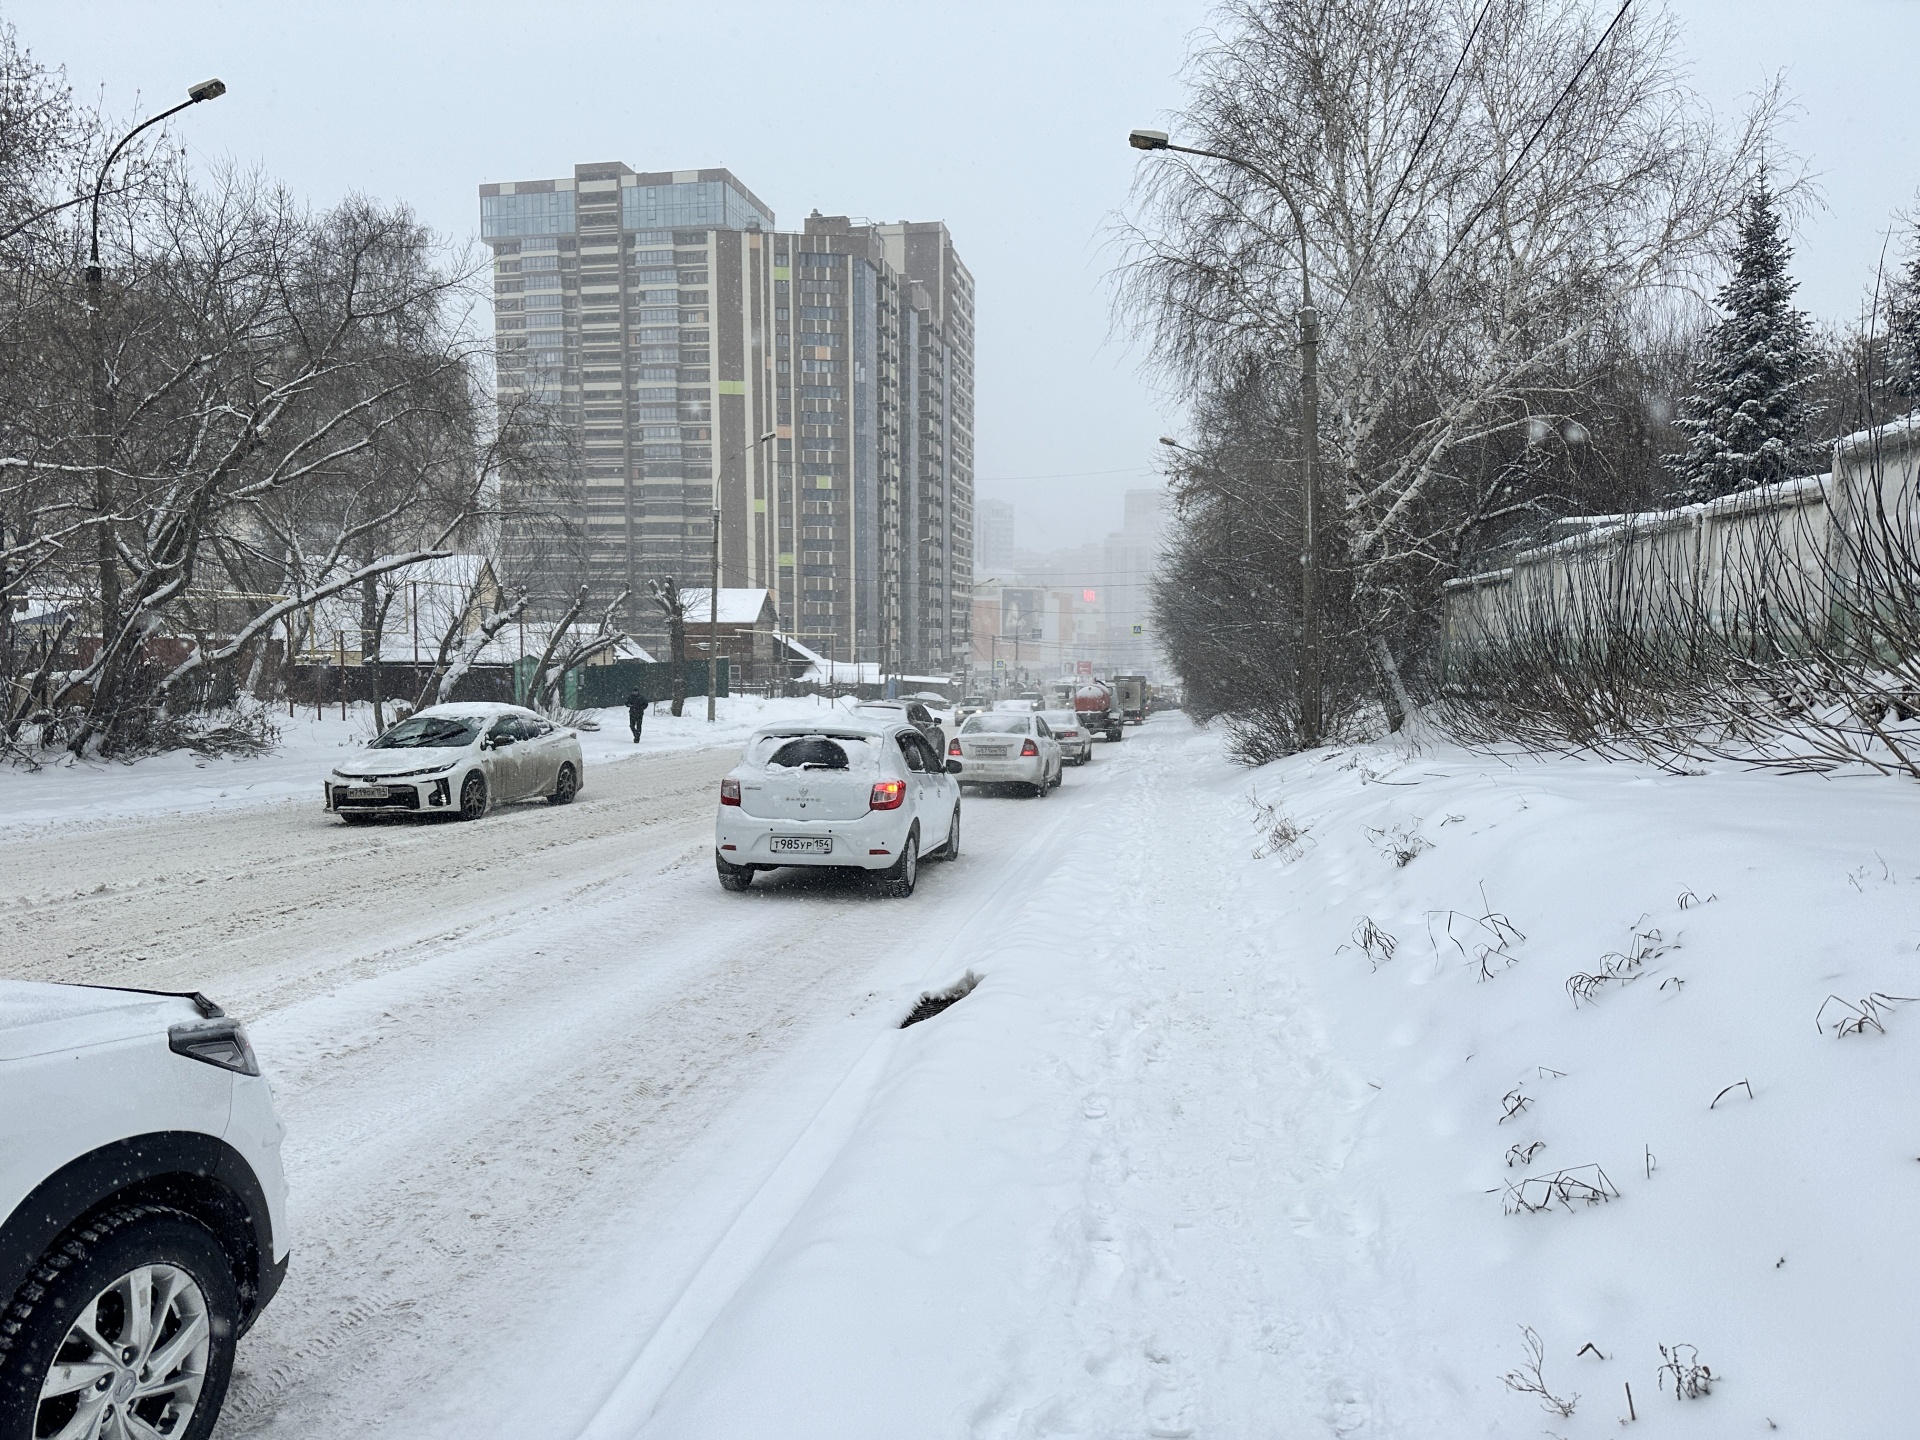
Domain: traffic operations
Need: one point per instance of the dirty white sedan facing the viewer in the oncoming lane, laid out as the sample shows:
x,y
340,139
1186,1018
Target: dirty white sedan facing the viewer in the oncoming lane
x,y
460,759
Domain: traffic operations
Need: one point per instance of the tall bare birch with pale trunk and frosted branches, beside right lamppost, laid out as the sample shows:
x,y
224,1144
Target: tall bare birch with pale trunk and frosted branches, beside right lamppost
x,y
1485,191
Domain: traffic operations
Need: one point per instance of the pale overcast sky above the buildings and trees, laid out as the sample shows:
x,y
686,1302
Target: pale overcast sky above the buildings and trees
x,y
1005,120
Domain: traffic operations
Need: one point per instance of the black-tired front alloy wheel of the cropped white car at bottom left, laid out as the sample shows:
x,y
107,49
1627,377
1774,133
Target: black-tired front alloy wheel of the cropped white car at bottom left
x,y
82,1282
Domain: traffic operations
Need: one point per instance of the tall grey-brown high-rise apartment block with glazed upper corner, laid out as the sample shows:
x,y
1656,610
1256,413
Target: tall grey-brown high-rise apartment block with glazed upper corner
x,y
815,389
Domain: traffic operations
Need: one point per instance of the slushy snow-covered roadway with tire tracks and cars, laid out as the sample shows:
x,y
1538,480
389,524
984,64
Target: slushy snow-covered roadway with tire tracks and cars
x,y
516,1057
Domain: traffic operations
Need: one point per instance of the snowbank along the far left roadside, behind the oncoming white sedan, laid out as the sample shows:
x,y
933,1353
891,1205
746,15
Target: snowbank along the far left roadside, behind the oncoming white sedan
x,y
183,782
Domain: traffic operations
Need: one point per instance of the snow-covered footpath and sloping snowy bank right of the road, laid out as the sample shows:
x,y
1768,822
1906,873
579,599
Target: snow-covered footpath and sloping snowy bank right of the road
x,y
1310,1143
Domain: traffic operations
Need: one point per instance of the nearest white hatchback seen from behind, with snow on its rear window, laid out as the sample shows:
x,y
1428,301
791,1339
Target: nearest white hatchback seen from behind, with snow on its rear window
x,y
838,794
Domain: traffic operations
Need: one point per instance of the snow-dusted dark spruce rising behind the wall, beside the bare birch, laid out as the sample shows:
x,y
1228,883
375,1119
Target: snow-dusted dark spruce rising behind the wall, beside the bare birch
x,y
1750,414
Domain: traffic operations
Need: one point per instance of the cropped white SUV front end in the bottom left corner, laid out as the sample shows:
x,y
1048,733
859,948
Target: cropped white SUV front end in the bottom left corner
x,y
143,1211
